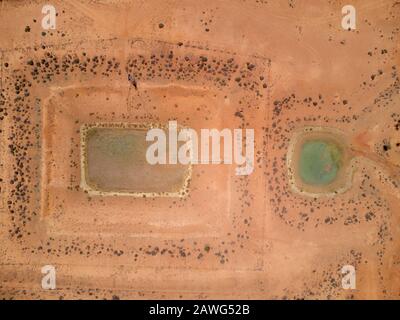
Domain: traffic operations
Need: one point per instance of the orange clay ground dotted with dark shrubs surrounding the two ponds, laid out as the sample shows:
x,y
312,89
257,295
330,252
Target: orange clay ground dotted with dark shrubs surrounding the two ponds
x,y
274,66
